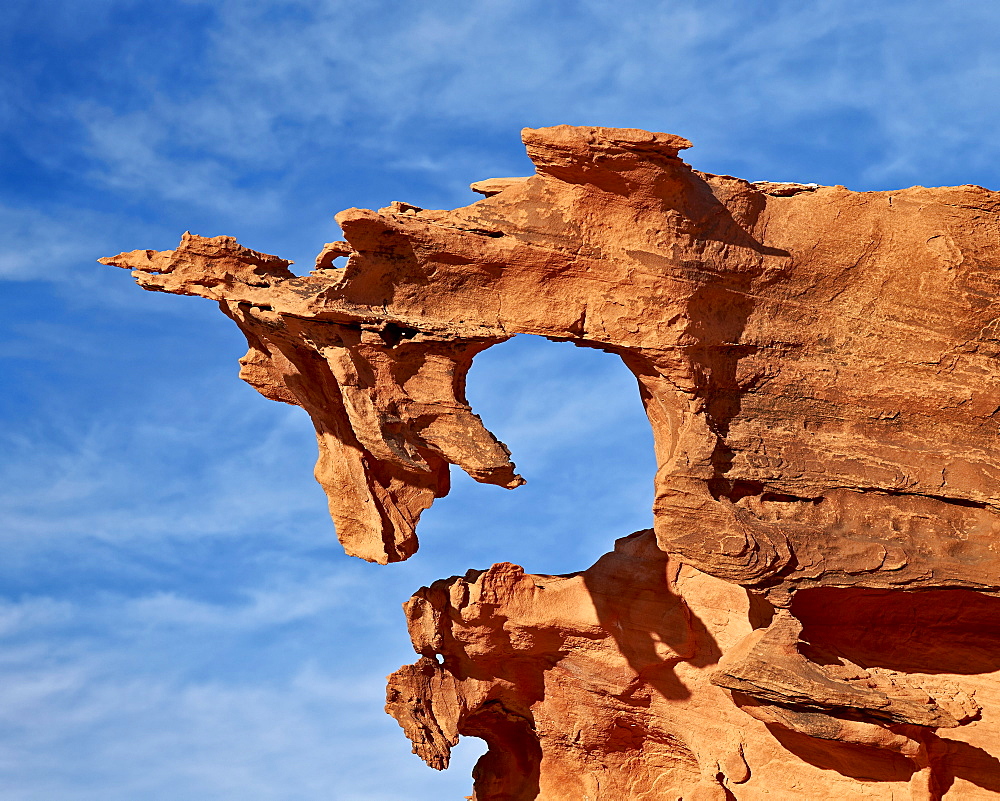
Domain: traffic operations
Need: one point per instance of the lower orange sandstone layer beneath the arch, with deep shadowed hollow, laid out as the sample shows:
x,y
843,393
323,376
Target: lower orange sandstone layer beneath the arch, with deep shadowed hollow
x,y
604,685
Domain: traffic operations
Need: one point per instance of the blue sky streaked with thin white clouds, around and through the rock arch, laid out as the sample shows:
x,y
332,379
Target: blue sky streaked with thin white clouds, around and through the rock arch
x,y
176,620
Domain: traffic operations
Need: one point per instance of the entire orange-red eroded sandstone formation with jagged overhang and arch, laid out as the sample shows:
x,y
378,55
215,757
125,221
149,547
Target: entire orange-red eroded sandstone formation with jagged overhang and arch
x,y
815,614
